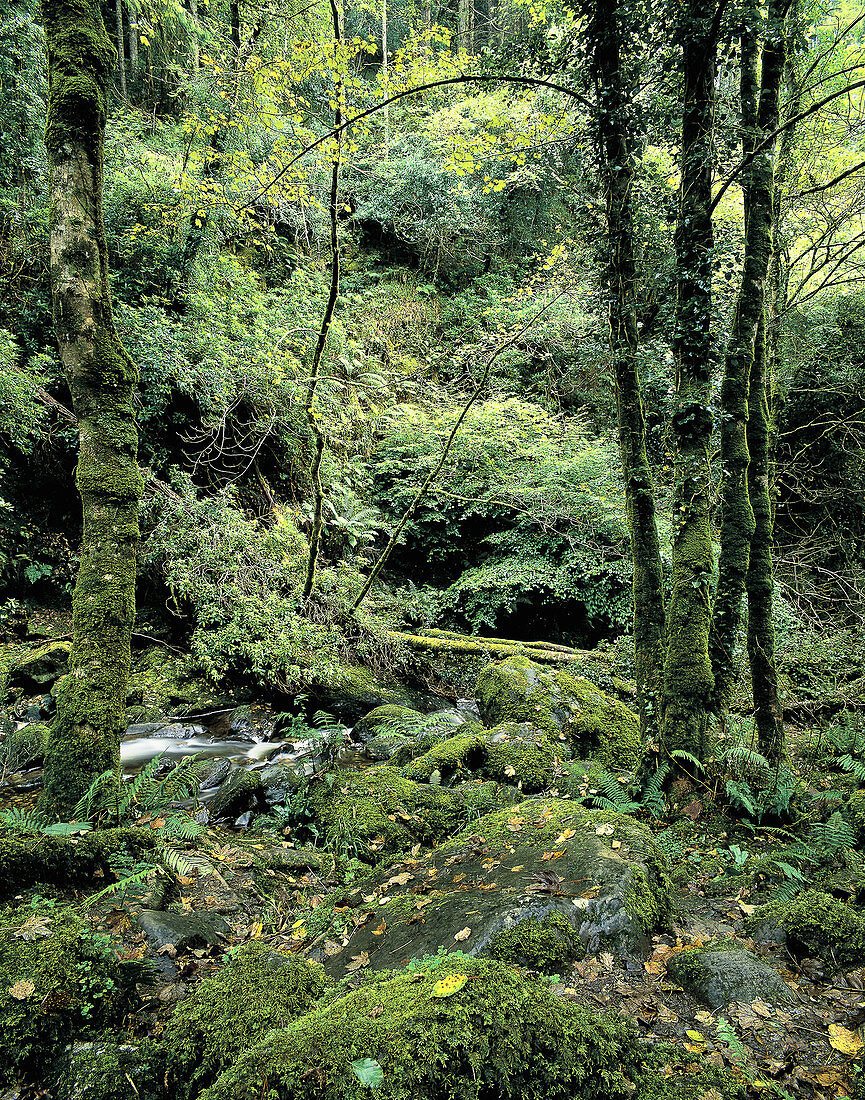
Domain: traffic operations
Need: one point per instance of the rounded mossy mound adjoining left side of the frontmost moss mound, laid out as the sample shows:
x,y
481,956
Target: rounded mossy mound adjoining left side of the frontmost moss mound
x,y
258,991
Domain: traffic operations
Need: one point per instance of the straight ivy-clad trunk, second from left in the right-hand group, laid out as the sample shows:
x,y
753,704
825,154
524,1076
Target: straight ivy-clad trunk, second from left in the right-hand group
x,y
688,679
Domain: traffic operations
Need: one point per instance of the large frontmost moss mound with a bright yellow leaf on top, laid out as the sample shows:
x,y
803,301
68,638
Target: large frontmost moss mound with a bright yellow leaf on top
x,y
499,1036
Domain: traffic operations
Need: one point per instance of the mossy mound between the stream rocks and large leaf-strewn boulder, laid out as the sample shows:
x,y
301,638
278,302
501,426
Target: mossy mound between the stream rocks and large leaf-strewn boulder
x,y
379,811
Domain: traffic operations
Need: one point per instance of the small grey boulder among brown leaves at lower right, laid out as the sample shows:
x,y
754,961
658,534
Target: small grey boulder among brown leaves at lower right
x,y
718,977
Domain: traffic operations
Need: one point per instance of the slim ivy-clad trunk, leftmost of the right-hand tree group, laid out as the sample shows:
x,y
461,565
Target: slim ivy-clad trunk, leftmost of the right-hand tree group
x,y
606,38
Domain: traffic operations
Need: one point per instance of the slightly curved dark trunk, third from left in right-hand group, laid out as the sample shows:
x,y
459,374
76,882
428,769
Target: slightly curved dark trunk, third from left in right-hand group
x,y
760,118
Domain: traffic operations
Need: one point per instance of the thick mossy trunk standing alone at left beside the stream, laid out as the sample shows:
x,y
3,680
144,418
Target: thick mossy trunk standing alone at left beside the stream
x,y
85,738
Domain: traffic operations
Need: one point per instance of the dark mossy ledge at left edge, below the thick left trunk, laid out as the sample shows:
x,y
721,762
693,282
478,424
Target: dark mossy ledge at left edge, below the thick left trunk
x,y
67,862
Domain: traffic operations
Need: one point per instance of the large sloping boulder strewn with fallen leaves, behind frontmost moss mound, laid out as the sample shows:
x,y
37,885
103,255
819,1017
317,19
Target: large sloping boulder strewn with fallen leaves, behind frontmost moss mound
x,y
546,882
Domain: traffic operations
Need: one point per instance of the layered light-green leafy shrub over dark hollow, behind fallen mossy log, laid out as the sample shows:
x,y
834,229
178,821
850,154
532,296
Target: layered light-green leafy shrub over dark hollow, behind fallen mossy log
x,y
524,524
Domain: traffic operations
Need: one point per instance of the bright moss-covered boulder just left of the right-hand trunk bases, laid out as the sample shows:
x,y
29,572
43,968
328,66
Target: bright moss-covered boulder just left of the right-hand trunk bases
x,y
563,706
